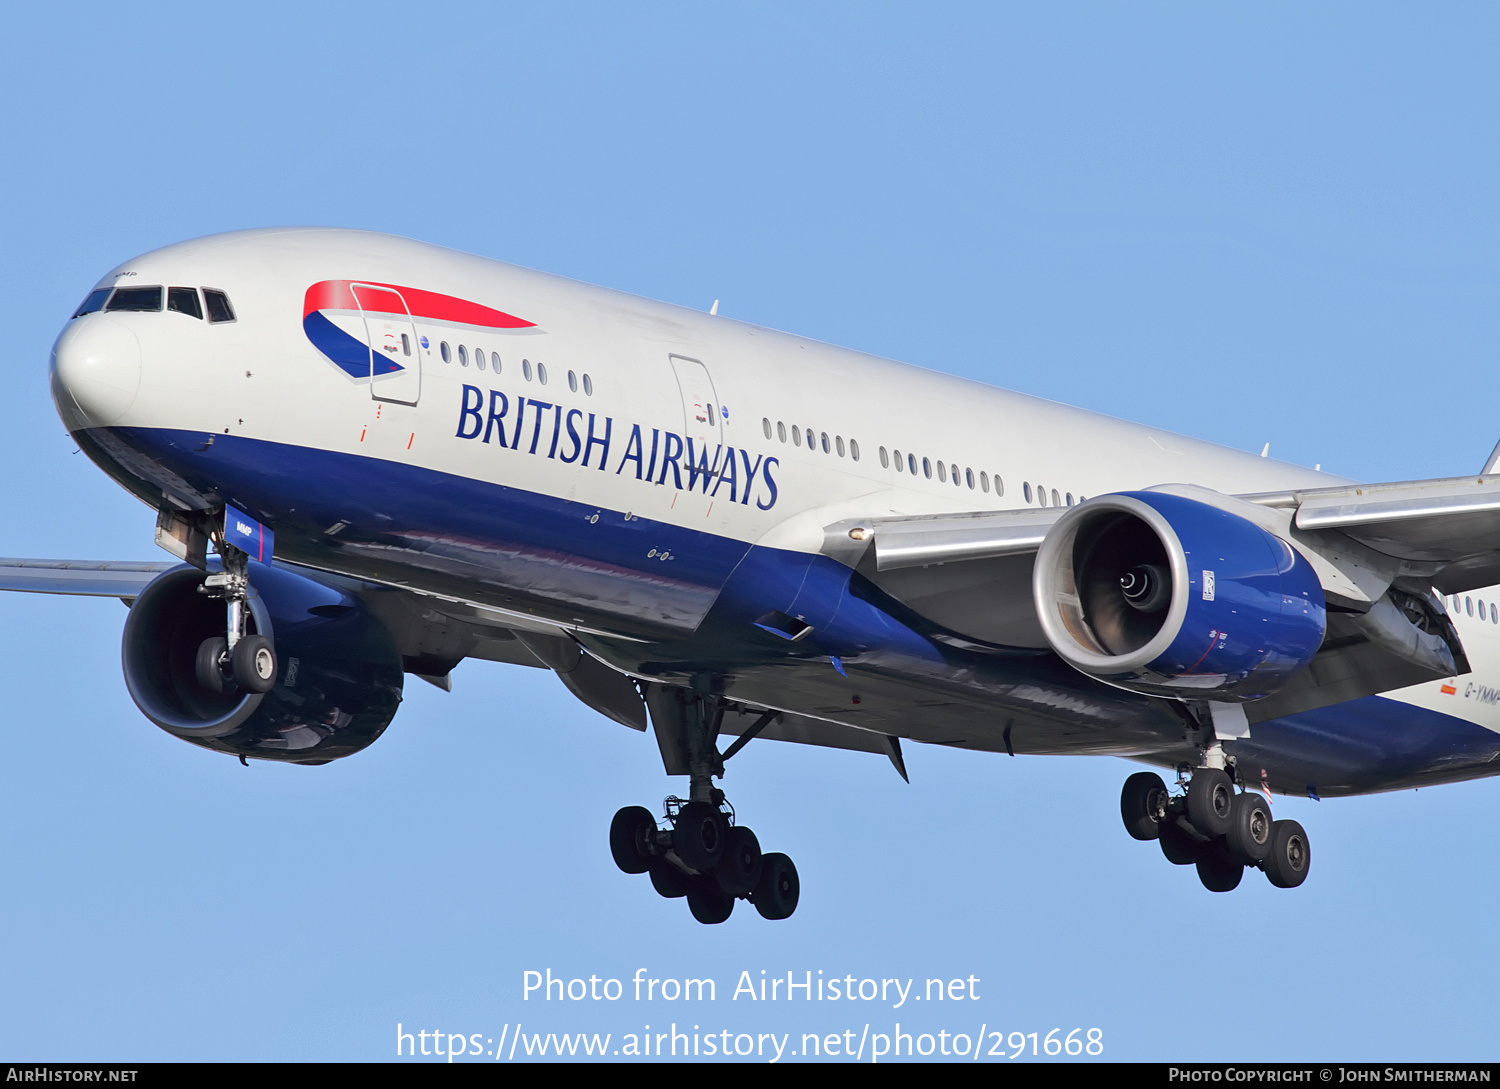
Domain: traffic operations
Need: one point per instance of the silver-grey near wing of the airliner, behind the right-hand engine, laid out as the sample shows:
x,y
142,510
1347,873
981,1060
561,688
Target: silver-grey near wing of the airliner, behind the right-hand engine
x,y
1376,550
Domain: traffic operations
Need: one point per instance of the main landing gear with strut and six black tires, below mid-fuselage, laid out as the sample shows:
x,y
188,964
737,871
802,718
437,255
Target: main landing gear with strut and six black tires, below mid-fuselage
x,y
701,853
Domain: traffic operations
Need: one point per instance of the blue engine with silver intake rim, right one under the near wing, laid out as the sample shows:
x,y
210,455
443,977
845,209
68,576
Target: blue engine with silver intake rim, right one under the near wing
x,y
1174,598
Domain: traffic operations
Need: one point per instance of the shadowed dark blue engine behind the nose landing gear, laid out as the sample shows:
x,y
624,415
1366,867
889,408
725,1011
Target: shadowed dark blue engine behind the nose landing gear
x,y
337,689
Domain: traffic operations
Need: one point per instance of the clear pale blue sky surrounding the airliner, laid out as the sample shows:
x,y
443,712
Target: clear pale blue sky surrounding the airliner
x,y
1252,224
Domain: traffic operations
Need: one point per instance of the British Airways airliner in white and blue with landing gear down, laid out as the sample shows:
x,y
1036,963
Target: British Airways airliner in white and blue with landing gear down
x,y
374,458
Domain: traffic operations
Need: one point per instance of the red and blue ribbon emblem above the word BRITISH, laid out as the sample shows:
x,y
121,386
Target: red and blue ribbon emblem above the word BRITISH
x,y
394,304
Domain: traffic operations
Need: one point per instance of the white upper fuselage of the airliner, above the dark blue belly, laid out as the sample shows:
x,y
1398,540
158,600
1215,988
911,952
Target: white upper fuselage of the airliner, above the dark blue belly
x,y
262,377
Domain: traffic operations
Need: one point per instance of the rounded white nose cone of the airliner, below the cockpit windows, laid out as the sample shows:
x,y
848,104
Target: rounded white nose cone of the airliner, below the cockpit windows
x,y
97,371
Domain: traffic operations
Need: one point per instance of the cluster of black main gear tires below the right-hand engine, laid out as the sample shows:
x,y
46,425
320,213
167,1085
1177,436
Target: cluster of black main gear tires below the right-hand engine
x,y
1213,827
